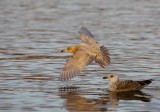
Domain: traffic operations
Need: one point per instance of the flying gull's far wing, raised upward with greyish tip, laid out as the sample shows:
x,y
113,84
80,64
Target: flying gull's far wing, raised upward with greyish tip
x,y
86,36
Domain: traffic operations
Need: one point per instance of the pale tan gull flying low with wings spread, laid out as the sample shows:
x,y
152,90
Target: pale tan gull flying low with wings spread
x,y
84,53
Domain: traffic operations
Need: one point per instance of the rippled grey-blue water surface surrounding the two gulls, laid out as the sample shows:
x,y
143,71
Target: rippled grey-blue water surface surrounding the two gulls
x,y
32,33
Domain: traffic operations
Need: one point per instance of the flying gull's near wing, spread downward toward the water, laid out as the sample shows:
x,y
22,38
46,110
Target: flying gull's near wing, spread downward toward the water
x,y
75,65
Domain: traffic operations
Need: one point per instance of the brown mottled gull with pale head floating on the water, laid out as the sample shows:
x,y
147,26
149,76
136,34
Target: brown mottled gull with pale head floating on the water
x,y
128,85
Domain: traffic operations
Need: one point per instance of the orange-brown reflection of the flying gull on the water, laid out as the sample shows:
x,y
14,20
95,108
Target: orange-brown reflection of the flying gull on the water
x,y
75,100
